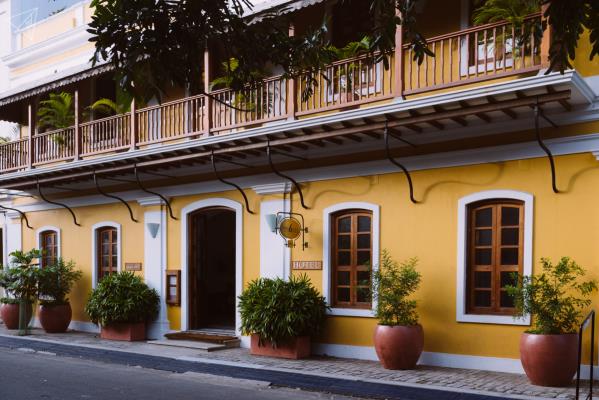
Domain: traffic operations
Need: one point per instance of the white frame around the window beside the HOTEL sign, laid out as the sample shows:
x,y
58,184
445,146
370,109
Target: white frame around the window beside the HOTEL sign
x,y
326,253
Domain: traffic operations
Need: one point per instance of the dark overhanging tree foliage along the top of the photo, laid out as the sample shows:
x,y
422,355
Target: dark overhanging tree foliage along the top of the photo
x,y
155,45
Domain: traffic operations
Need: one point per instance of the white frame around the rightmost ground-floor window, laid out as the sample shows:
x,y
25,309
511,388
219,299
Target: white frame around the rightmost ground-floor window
x,y
462,259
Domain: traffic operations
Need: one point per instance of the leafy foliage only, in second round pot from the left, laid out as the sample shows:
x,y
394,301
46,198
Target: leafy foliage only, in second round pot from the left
x,y
56,281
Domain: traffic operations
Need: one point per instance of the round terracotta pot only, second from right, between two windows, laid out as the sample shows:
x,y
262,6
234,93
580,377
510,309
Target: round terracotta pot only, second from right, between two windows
x,y
398,347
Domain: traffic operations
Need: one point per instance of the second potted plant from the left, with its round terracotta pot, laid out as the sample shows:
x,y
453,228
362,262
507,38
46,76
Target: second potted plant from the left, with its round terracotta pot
x,y
55,283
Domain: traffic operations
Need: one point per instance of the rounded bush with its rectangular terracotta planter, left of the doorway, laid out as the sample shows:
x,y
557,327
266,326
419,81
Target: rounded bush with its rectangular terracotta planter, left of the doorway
x,y
122,304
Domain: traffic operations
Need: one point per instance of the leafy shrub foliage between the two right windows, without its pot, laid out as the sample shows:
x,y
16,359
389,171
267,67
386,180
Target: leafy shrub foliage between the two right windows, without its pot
x,y
392,284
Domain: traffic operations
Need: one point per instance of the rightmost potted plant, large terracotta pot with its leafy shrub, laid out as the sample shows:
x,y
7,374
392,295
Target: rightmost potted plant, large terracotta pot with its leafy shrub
x,y
555,298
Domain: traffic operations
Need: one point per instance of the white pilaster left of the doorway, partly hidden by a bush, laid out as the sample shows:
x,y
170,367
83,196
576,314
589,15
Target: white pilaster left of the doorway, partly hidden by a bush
x,y
155,264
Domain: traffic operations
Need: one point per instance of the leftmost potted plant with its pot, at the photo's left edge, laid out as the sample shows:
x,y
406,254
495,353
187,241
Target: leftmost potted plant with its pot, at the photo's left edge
x,y
20,281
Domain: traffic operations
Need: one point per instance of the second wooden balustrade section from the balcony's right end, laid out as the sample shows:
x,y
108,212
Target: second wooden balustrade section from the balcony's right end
x,y
345,83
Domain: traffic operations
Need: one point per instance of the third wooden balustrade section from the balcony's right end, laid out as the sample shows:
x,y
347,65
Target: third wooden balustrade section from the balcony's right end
x,y
264,102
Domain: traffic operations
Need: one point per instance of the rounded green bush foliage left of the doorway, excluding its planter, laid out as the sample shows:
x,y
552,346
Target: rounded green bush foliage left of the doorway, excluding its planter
x,y
122,298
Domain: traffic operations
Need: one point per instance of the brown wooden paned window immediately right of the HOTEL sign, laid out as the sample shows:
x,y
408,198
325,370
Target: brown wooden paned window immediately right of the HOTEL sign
x,y
351,255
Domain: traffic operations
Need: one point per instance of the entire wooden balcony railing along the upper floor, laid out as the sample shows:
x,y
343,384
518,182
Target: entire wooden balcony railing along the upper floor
x,y
464,58
